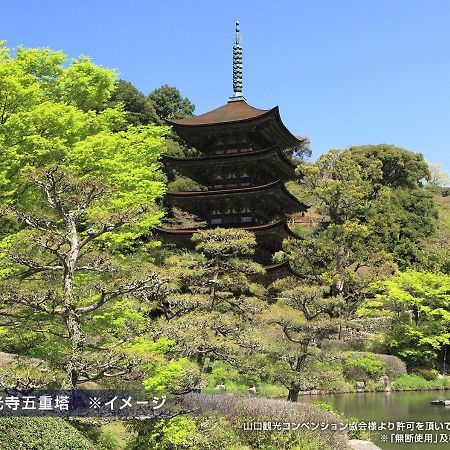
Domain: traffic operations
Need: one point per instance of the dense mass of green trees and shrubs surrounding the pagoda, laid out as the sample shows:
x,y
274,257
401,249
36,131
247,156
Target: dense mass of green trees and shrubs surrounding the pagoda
x,y
89,297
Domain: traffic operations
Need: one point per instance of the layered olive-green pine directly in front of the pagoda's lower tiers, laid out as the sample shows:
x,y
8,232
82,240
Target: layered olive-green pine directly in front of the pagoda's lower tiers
x,y
214,298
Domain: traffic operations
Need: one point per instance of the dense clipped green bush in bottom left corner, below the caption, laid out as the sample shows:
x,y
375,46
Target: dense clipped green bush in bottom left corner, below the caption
x,y
43,433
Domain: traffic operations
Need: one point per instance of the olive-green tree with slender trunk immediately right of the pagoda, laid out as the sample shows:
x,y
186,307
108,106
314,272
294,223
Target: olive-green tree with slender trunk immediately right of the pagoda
x,y
345,251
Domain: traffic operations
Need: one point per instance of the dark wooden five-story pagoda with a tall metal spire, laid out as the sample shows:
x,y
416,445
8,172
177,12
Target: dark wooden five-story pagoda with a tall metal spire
x,y
243,166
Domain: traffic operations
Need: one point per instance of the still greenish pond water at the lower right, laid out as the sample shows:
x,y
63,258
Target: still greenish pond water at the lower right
x,y
394,407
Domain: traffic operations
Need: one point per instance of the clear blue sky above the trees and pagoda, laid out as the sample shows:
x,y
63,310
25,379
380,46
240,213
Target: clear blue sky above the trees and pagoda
x,y
343,72
